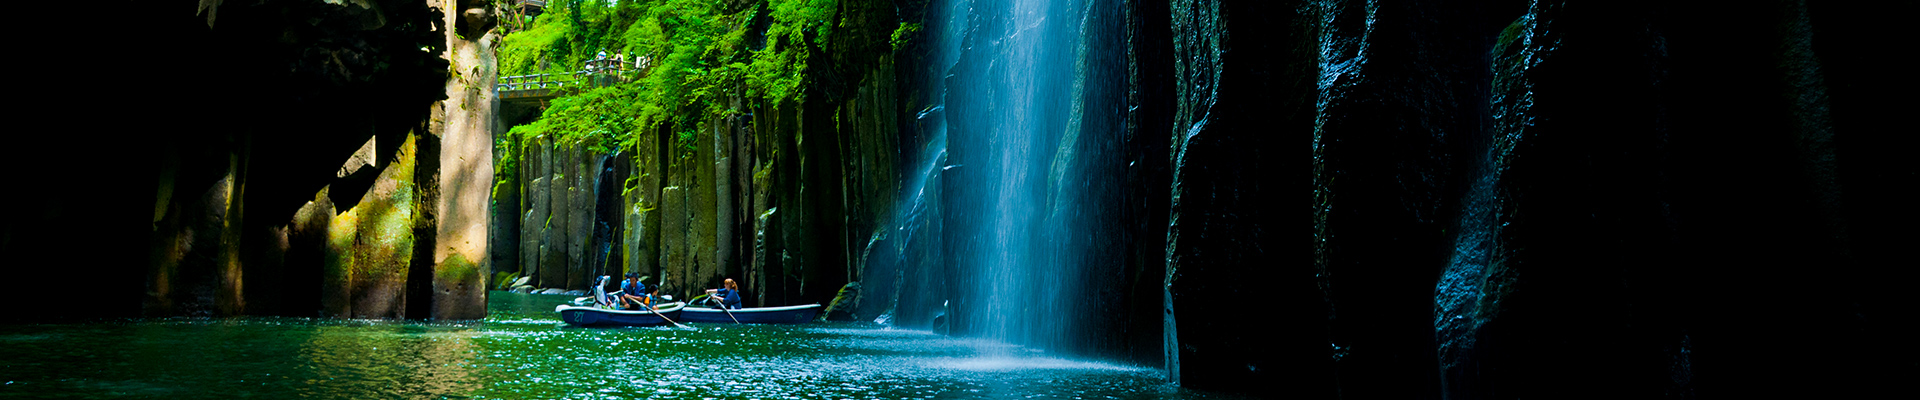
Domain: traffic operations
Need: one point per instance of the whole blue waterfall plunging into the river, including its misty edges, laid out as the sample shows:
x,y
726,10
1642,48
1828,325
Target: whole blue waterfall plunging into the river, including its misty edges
x,y
1032,118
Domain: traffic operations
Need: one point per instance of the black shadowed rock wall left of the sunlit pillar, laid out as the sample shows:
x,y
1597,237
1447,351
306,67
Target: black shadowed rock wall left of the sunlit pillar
x,y
239,155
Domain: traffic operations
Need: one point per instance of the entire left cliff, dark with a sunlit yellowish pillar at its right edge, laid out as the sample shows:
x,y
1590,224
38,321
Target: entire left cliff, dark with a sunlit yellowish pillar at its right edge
x,y
324,174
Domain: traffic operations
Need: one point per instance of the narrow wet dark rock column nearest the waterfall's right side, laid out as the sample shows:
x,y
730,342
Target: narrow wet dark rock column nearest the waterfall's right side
x,y
1241,93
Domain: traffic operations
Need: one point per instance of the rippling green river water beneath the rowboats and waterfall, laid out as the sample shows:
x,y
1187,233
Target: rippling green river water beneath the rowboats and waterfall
x,y
523,351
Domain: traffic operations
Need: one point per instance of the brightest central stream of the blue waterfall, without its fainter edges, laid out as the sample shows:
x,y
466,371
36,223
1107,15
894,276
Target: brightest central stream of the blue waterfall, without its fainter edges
x,y
1005,112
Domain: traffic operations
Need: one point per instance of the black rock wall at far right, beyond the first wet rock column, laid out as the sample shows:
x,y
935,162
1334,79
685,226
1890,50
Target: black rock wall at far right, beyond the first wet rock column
x,y
1591,195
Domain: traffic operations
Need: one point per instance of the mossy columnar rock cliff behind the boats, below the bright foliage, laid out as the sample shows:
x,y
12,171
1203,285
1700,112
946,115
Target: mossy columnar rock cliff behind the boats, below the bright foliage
x,y
694,205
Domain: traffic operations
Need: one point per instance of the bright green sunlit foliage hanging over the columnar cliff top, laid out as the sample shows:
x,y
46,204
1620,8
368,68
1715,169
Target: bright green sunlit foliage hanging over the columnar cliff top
x,y
704,59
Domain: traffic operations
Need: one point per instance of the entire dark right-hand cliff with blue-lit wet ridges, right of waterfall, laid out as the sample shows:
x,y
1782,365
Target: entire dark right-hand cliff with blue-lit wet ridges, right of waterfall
x,y
1537,199
